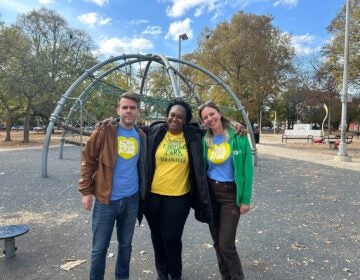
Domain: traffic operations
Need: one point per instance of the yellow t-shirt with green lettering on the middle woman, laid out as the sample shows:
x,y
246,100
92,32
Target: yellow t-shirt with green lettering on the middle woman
x,y
171,166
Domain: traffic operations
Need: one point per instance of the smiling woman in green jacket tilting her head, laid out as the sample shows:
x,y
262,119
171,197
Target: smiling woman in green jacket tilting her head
x,y
229,171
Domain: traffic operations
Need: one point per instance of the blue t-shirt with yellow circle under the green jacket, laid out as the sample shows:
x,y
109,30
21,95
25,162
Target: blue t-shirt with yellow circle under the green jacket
x,y
220,160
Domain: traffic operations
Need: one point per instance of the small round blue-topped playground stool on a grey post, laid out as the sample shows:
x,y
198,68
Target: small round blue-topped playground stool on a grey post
x,y
8,233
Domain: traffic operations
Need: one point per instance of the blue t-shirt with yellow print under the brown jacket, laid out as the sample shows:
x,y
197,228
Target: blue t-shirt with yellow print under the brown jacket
x,y
125,177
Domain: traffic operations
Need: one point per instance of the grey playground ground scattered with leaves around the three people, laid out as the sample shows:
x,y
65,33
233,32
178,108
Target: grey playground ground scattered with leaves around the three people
x,y
304,222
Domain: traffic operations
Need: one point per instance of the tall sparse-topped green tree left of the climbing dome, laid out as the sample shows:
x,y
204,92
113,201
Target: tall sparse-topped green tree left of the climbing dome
x,y
58,55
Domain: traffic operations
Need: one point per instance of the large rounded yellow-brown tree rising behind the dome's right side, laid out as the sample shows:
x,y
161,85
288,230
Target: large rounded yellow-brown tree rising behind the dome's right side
x,y
250,55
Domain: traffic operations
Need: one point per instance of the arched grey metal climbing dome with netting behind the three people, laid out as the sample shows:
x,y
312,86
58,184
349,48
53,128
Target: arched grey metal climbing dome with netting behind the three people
x,y
101,85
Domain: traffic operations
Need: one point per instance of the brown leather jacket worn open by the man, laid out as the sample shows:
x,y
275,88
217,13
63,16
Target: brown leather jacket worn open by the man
x,y
98,163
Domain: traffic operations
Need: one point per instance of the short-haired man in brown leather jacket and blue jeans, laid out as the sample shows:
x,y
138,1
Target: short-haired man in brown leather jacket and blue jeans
x,y
113,171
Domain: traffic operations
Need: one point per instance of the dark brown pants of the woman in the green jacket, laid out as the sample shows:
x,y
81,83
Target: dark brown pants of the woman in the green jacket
x,y
223,231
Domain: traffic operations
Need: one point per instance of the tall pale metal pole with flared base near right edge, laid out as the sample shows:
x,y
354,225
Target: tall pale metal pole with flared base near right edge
x,y
342,154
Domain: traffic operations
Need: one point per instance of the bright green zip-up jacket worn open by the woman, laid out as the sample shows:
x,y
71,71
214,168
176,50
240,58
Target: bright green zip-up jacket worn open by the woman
x,y
243,165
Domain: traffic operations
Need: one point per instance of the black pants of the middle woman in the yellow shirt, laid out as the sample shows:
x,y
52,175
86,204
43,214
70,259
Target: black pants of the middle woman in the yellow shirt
x,y
166,216
